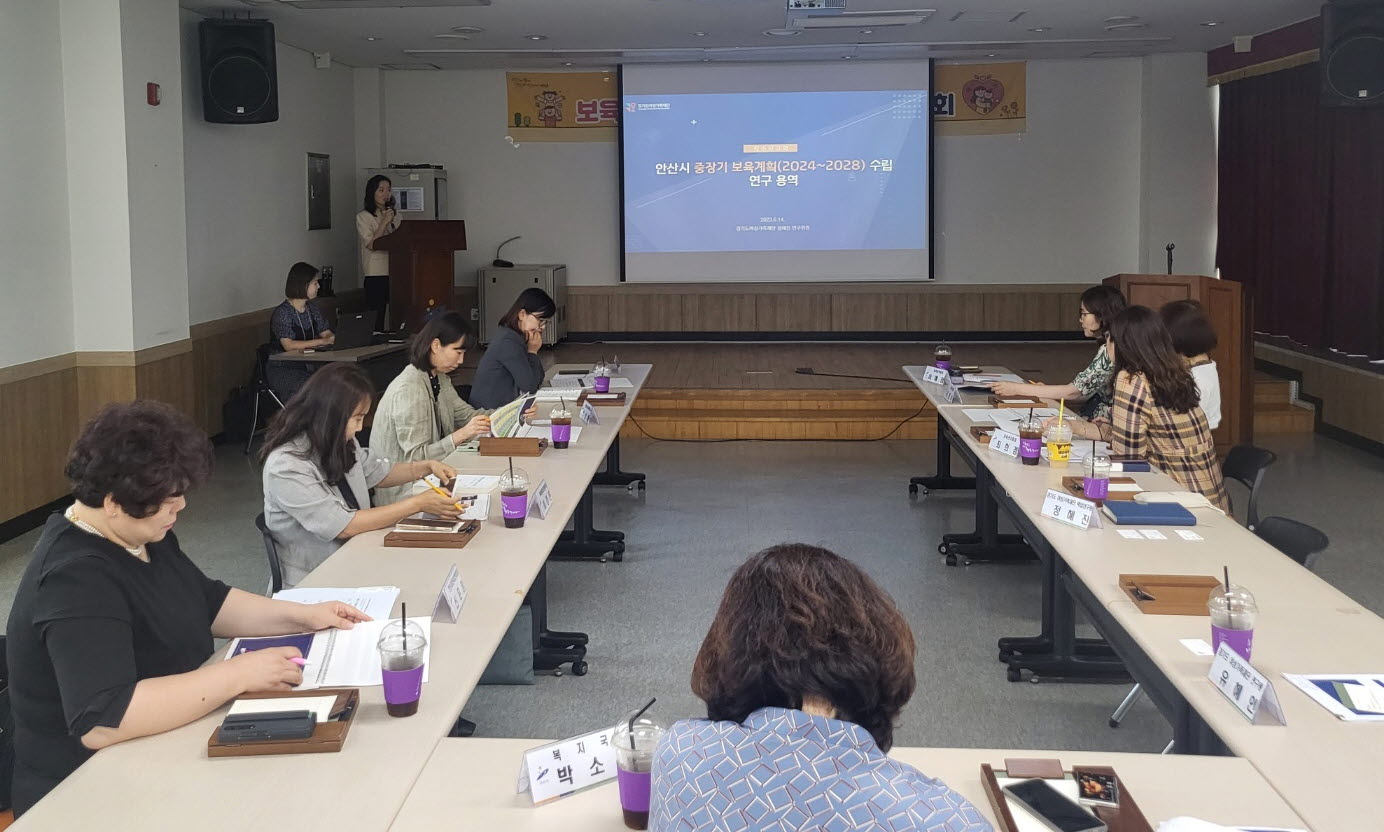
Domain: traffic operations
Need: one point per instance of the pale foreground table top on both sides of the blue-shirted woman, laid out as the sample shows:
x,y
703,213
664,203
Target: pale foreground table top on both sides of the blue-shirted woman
x,y
470,784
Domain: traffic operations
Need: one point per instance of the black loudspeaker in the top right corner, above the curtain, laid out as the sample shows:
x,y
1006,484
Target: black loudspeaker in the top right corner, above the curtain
x,y
1353,53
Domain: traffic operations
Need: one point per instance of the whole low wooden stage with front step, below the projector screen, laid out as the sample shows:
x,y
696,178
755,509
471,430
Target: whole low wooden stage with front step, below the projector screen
x,y
755,391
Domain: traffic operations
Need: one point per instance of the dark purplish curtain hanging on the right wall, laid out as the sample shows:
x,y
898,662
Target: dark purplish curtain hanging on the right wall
x,y
1302,211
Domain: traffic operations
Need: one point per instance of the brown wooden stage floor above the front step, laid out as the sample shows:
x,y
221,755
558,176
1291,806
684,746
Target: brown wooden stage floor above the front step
x,y
773,366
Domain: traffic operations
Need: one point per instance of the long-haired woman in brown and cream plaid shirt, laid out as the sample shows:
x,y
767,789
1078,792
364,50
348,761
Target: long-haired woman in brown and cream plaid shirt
x,y
1156,416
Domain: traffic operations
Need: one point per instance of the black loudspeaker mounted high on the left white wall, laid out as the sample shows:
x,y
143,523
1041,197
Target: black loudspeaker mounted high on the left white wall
x,y
240,80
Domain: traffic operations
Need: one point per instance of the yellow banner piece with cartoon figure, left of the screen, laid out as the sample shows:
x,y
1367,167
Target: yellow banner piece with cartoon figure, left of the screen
x,y
563,106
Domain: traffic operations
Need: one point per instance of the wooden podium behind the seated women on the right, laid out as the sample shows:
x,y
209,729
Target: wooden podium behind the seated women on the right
x,y
1231,316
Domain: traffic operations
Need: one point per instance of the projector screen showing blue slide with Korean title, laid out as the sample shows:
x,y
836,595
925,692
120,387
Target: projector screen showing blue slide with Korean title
x,y
776,172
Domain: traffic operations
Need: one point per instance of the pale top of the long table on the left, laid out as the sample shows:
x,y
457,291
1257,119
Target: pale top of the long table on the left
x,y
168,781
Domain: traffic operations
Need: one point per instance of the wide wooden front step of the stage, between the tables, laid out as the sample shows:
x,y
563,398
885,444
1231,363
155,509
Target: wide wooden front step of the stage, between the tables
x,y
781,415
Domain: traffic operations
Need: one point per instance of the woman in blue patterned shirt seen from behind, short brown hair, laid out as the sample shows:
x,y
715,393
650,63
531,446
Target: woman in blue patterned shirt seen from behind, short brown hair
x,y
805,672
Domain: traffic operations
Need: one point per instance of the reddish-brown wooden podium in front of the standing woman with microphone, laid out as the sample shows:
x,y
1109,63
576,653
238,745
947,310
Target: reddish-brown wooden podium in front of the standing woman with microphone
x,y
421,268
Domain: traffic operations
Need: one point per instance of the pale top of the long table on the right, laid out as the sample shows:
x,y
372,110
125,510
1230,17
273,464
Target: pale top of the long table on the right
x,y
1325,768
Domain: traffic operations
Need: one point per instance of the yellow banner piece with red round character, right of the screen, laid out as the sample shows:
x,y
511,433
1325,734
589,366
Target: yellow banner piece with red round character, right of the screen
x,y
979,99
